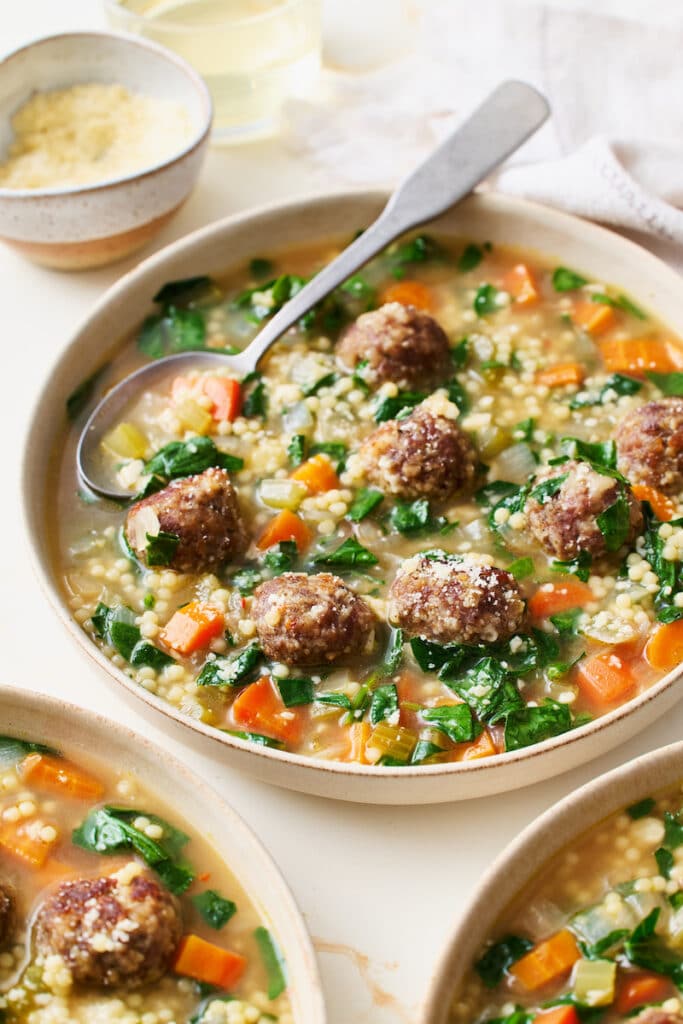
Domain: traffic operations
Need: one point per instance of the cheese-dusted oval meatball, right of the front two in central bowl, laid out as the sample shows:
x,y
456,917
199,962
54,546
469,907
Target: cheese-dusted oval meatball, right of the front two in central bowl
x,y
449,600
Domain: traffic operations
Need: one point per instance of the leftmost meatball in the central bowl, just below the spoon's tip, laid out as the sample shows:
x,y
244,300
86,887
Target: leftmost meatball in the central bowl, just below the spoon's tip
x,y
202,511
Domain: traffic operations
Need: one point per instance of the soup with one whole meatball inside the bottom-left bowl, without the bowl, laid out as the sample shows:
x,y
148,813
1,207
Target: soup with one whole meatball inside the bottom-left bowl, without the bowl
x,y
111,913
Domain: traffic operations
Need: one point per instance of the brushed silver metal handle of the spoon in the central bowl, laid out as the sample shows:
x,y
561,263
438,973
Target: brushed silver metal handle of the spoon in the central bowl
x,y
497,129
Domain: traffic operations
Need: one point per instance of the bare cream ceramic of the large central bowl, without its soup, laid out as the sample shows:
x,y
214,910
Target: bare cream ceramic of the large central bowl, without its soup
x,y
233,242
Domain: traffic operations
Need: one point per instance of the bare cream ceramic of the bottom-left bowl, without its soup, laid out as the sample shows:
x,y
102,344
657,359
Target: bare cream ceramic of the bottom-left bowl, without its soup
x,y
56,723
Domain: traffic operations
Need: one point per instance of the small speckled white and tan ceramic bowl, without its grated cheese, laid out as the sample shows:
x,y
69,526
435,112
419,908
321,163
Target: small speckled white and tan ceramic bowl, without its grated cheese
x,y
92,226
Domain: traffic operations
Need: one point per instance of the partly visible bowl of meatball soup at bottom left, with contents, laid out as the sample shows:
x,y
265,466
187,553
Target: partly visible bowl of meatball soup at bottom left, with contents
x,y
118,905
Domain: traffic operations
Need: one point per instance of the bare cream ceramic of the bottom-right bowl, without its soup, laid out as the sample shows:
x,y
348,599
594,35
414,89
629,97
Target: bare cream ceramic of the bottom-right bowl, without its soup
x,y
539,843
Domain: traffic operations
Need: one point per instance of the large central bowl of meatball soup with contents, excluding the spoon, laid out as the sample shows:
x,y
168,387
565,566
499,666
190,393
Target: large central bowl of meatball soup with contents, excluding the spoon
x,y
433,548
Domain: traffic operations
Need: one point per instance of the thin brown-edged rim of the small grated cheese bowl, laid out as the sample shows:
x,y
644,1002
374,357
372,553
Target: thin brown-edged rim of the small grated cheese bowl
x,y
198,140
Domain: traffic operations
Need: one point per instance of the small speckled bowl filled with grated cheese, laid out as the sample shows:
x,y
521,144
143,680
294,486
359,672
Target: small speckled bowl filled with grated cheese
x,y
102,140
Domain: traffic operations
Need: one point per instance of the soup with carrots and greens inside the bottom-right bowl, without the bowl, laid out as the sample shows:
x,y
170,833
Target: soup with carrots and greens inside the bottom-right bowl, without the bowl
x,y
597,936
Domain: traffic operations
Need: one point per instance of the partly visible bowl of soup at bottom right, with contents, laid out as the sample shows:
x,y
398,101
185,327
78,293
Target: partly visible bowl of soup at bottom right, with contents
x,y
580,919
